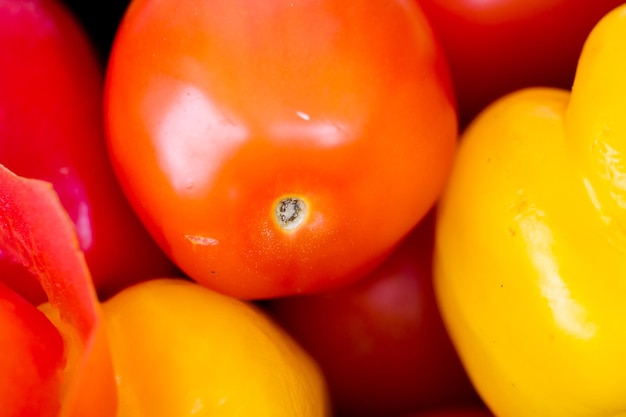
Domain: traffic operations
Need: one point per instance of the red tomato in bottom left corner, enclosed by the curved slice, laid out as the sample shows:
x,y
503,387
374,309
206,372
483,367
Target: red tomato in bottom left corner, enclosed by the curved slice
x,y
31,360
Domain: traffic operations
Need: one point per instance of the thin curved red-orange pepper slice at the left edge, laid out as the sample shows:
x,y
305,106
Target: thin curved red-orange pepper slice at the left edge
x,y
37,232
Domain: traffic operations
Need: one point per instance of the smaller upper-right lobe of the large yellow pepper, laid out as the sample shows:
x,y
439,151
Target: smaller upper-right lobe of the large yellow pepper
x,y
595,121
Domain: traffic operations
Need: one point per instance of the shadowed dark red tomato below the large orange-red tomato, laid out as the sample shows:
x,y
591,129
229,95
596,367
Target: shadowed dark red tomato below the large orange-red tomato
x,y
381,342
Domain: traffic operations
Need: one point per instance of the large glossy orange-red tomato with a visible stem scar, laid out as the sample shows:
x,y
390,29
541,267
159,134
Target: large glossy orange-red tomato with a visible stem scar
x,y
276,147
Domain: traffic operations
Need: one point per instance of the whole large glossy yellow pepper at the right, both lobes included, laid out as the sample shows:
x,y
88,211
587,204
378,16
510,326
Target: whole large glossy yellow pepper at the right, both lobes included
x,y
530,263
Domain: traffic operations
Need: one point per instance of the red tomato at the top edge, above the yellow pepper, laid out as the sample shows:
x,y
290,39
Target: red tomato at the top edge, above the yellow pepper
x,y
498,46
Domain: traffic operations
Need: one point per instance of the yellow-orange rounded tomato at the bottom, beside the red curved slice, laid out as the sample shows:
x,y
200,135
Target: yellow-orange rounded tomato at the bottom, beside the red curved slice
x,y
183,350
